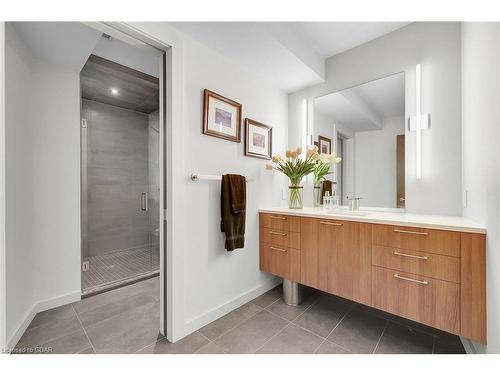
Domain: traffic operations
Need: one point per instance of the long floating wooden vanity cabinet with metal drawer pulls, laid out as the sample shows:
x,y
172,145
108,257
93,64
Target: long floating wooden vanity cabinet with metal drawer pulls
x,y
435,277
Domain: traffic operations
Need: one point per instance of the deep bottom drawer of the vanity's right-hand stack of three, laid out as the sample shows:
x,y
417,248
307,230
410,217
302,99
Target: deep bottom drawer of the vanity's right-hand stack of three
x,y
426,300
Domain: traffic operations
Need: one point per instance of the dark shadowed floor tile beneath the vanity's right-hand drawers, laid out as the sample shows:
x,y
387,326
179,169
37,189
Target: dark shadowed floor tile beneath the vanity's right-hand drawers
x,y
399,339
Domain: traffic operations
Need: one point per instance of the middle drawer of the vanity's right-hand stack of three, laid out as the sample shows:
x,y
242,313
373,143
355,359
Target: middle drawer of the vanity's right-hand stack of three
x,y
417,262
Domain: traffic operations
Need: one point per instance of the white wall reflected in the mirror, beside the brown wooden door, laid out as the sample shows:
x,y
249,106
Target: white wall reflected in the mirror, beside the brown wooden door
x,y
375,164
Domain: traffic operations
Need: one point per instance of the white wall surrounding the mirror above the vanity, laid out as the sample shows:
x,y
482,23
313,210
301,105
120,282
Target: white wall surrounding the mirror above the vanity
x,y
437,47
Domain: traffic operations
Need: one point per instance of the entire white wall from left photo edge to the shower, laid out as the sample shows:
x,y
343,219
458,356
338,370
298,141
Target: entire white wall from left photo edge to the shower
x,y
43,185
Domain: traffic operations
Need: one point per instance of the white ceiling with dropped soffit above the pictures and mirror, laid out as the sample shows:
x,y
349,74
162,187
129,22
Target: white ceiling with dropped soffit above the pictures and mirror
x,y
290,55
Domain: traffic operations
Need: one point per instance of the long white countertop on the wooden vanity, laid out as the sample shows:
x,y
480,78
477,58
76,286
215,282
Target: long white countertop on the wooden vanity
x,y
453,223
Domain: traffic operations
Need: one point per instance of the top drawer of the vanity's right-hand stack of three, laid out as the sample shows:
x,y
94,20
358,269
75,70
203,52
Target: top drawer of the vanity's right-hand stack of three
x,y
418,239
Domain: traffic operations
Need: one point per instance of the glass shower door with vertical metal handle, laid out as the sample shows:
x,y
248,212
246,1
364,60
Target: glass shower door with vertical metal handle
x,y
120,198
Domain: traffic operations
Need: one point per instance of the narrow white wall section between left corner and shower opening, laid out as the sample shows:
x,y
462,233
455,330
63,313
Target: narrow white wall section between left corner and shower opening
x,y
56,181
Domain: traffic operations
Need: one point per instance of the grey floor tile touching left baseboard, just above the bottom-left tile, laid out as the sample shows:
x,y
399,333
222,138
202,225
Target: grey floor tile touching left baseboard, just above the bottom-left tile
x,y
49,331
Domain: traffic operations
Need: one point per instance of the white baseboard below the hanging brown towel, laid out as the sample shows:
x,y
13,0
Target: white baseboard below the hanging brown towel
x,y
221,310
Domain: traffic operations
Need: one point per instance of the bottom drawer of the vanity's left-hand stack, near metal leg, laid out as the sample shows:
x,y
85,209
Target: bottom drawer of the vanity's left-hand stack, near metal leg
x,y
280,261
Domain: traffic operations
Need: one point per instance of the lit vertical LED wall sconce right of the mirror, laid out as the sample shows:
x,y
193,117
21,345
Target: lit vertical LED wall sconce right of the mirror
x,y
418,122
